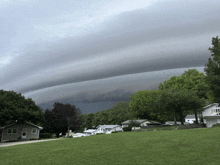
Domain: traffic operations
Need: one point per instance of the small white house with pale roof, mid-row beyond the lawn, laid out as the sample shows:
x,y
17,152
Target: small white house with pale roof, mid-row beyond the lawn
x,y
107,129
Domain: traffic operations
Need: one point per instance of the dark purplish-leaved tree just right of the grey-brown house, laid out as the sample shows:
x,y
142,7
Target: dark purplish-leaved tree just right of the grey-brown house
x,y
62,118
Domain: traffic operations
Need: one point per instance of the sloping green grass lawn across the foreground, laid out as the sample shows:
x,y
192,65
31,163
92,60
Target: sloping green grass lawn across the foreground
x,y
191,146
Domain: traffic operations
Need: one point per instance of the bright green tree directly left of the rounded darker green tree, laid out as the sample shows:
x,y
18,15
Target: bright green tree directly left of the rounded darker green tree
x,y
142,105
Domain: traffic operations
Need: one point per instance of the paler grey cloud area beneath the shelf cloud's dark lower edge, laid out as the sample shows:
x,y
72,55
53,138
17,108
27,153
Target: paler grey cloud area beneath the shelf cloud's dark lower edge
x,y
115,88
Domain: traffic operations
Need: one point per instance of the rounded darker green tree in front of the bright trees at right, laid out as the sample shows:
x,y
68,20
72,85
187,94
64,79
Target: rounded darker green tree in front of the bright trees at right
x,y
177,103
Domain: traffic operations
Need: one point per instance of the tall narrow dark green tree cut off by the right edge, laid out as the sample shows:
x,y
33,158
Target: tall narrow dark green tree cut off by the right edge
x,y
212,70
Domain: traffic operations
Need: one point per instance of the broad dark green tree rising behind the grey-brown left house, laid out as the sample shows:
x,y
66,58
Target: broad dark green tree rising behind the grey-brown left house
x,y
15,107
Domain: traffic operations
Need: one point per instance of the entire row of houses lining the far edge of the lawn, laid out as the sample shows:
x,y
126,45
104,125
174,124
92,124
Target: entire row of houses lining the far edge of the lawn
x,y
28,131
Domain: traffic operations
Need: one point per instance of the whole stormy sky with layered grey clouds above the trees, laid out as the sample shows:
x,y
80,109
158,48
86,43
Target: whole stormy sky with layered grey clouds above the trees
x,y
96,53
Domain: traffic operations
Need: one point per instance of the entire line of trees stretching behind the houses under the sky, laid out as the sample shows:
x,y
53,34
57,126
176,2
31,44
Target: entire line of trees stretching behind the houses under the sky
x,y
174,99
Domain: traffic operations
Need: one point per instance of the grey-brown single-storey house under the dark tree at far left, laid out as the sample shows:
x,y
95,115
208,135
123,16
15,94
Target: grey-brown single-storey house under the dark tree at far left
x,y
17,131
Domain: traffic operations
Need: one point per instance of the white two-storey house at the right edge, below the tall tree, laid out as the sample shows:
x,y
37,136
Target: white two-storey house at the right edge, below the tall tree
x,y
211,114
